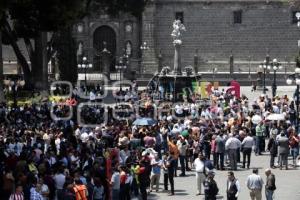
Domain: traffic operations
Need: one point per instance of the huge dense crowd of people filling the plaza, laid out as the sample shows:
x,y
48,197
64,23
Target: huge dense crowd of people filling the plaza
x,y
45,159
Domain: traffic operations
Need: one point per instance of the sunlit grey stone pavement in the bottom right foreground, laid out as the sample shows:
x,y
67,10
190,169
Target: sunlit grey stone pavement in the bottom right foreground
x,y
287,182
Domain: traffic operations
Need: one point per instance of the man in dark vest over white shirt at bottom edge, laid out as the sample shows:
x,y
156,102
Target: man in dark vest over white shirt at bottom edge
x,y
233,187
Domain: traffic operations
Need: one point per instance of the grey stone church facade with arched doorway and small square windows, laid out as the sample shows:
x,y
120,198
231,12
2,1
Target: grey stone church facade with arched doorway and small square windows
x,y
216,29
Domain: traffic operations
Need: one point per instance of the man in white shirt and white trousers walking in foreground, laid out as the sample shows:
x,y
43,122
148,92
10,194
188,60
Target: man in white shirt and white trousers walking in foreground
x,y
200,171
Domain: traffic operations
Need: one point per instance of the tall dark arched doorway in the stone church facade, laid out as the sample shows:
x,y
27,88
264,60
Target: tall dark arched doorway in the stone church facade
x,y
104,34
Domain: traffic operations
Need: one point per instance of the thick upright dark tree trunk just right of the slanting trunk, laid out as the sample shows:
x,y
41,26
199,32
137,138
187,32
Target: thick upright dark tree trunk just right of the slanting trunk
x,y
40,65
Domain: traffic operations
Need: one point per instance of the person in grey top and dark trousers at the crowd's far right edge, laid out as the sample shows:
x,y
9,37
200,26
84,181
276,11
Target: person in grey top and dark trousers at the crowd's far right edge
x,y
283,143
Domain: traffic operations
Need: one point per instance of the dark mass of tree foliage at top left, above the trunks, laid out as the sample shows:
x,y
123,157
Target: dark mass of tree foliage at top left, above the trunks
x,y
45,15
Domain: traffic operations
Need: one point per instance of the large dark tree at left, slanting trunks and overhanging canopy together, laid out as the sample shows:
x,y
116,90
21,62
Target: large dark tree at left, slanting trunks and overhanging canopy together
x,y
31,21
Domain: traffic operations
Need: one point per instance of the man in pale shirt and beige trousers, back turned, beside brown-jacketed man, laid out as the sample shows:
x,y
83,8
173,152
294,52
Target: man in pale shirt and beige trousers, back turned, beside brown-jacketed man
x,y
255,183
